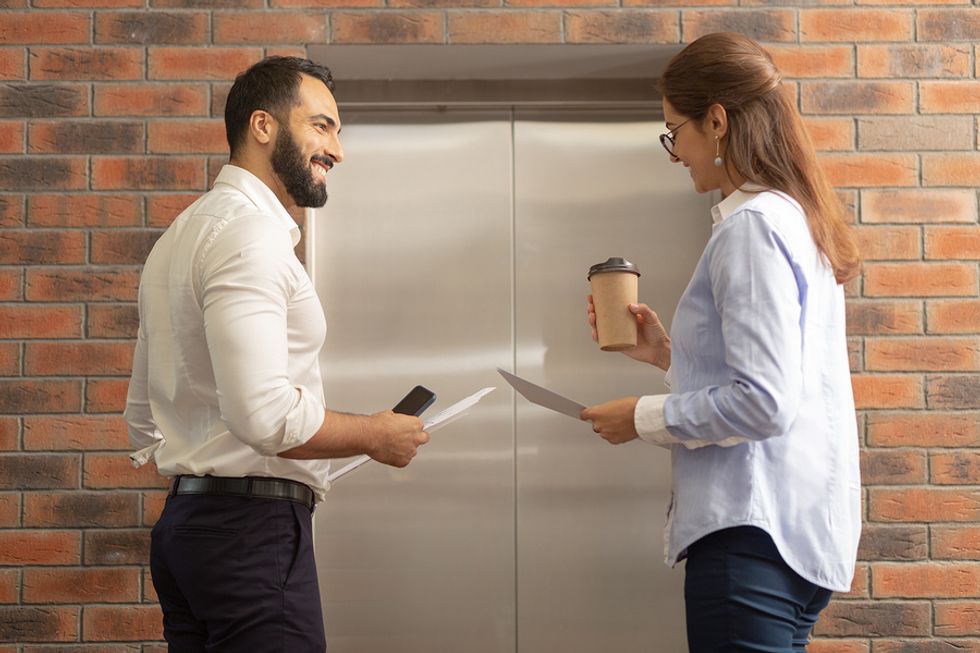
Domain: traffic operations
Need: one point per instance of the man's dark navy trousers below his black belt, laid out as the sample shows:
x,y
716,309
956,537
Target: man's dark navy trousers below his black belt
x,y
236,574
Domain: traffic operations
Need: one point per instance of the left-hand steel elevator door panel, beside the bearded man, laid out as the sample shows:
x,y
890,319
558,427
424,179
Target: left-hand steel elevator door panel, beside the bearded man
x,y
412,256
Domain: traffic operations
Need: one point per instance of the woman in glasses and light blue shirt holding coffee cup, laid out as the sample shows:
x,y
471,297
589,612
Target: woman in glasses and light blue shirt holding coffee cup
x,y
760,417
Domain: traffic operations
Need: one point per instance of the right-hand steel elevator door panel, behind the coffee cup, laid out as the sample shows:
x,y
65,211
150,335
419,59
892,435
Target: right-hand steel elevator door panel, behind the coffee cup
x,y
590,516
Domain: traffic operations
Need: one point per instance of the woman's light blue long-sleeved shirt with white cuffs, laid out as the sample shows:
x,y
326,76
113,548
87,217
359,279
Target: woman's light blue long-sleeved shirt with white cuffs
x,y
759,358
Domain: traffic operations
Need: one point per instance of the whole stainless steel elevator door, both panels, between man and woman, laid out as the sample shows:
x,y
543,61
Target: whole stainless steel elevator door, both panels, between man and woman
x,y
455,242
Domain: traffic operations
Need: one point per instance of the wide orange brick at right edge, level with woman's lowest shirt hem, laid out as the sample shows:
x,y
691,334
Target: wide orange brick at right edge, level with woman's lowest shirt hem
x,y
926,580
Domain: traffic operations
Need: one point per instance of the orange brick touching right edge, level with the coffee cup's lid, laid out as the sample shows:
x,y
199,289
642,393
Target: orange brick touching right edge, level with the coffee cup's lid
x,y
919,279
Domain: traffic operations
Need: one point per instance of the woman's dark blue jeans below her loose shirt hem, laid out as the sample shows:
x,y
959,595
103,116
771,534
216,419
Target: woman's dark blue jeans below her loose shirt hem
x,y
740,596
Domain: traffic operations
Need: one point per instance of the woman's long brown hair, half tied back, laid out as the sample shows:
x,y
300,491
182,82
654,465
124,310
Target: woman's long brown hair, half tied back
x,y
767,142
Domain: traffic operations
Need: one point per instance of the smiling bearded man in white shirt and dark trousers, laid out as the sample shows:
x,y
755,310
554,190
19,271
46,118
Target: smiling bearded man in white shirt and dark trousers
x,y
226,390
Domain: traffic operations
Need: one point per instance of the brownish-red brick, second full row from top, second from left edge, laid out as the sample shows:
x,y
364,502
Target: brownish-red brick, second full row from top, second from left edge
x,y
73,64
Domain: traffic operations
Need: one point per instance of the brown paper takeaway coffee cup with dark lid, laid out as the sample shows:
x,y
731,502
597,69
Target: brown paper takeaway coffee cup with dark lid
x,y
614,288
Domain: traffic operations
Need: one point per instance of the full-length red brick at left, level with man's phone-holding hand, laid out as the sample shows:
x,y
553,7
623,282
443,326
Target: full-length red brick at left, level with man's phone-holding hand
x,y
75,433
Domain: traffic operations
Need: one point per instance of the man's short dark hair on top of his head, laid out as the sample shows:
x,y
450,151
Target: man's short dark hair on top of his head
x,y
270,85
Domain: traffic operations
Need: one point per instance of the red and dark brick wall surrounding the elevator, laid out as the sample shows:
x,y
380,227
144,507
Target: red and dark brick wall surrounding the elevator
x,y
110,123
